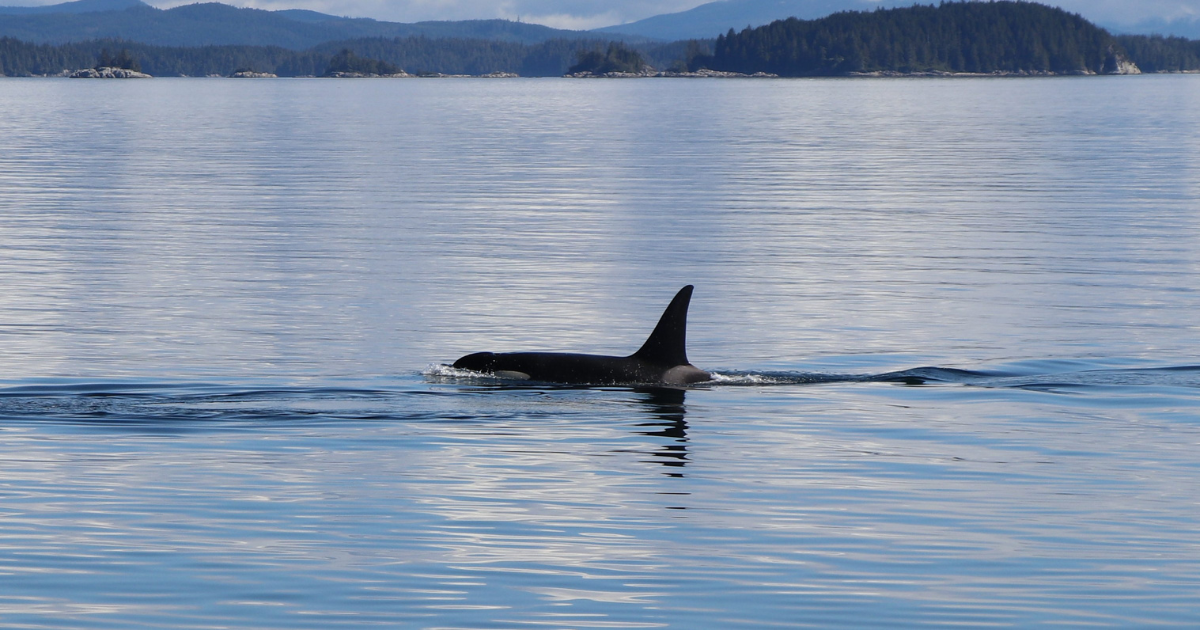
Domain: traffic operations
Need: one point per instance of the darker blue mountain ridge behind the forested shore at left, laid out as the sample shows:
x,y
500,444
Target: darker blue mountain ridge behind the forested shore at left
x,y
217,25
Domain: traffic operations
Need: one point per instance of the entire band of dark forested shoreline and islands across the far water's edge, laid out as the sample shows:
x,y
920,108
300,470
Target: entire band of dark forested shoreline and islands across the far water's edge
x,y
1001,38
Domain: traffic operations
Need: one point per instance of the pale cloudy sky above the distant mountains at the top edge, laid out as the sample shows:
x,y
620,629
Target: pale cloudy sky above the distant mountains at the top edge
x,y
592,14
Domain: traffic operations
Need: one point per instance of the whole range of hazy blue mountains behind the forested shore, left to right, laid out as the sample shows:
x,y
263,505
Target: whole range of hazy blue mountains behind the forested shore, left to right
x,y
217,25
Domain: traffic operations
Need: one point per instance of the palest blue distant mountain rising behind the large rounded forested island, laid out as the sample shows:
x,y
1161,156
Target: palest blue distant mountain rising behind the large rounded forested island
x,y
716,19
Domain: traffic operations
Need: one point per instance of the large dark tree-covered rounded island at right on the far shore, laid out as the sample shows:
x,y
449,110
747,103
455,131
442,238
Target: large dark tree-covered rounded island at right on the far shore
x,y
957,38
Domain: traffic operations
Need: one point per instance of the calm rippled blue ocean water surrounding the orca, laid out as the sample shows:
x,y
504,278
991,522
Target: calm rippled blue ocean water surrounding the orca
x,y
225,308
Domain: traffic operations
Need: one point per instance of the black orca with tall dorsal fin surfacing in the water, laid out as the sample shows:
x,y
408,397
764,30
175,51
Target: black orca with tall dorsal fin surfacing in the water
x,y
662,359
